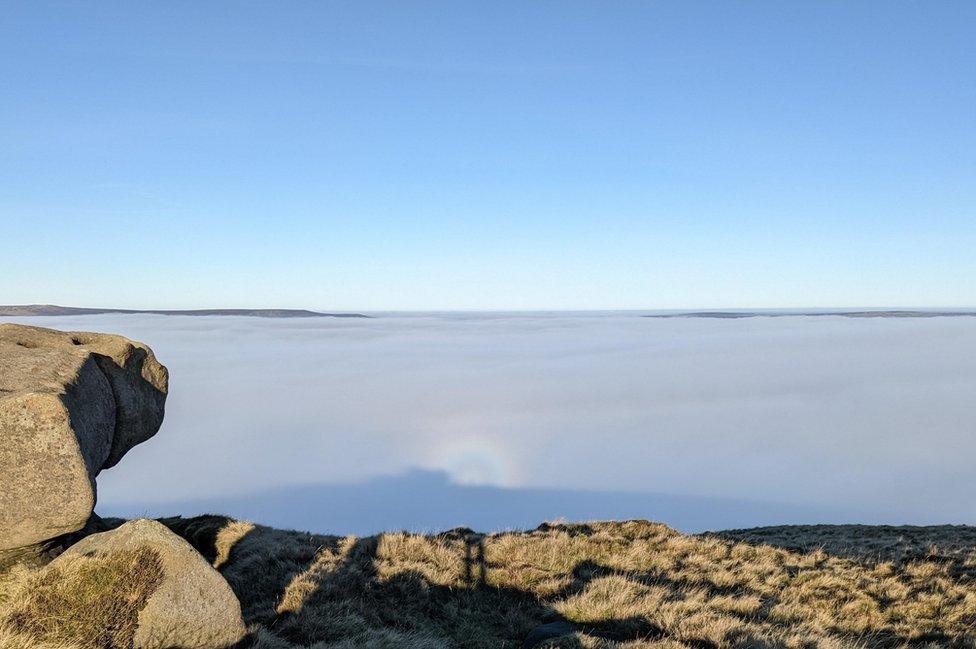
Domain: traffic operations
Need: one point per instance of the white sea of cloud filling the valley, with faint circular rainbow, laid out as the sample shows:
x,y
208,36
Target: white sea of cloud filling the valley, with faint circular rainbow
x,y
472,418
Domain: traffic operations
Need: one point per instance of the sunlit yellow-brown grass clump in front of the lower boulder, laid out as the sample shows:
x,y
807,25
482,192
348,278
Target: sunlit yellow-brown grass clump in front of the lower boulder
x,y
84,603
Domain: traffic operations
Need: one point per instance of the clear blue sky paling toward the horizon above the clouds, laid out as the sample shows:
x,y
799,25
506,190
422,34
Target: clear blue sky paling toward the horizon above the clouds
x,y
491,155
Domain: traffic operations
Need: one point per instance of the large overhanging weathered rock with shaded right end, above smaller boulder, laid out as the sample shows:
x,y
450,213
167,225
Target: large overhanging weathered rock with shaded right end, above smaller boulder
x,y
71,404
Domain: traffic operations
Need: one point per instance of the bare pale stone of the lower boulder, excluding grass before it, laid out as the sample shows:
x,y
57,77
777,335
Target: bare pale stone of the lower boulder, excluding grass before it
x,y
192,607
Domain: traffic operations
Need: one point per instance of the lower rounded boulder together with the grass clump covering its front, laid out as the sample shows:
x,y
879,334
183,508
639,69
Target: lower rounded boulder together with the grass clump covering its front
x,y
138,586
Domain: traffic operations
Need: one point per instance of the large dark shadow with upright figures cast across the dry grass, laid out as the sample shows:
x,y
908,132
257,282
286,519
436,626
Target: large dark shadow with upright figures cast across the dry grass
x,y
474,615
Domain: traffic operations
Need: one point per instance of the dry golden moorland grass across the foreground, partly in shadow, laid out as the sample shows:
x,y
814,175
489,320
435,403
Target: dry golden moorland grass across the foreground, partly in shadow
x,y
633,585
